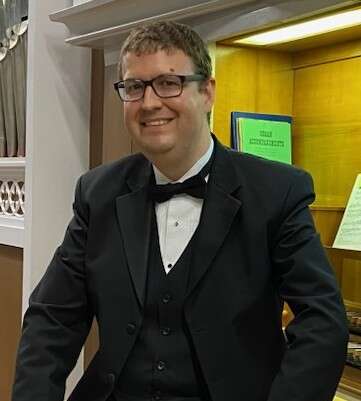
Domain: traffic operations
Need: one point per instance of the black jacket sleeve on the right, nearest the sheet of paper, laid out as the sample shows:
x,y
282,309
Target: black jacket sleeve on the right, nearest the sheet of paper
x,y
317,337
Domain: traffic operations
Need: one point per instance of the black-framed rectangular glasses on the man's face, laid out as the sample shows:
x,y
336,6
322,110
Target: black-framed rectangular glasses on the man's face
x,y
165,86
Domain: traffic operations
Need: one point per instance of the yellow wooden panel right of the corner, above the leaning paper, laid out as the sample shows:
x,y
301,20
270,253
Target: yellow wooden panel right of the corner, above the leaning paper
x,y
327,127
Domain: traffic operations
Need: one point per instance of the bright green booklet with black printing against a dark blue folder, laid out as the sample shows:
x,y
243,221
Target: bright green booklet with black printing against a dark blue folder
x,y
266,138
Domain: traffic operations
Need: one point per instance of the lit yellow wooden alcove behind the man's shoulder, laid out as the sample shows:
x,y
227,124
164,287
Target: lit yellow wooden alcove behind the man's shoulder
x,y
318,83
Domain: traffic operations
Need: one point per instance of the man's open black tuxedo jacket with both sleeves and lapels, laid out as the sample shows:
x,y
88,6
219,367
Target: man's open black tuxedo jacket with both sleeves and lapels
x,y
257,247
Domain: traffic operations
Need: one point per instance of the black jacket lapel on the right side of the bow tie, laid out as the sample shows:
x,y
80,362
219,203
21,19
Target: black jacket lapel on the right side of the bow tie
x,y
219,210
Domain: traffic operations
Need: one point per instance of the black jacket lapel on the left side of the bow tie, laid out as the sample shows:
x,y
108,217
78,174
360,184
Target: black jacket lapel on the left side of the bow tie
x,y
134,211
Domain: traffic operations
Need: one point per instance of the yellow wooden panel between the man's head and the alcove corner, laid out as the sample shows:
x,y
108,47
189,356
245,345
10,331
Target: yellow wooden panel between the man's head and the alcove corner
x,y
250,80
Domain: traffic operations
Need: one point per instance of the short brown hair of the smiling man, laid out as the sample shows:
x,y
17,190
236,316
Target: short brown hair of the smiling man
x,y
168,36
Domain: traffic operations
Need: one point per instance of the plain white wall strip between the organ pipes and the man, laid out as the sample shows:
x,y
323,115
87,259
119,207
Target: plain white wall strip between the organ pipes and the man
x,y
58,113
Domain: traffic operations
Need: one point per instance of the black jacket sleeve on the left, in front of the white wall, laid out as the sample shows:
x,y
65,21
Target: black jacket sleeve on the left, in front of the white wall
x,y
58,319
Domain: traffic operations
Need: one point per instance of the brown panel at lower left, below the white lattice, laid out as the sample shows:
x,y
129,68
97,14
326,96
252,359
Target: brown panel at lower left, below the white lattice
x,y
11,263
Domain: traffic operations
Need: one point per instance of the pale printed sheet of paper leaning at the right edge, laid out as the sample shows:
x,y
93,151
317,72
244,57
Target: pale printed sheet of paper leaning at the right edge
x,y
349,232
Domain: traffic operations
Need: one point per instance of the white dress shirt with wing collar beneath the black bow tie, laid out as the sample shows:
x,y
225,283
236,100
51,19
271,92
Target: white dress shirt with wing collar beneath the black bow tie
x,y
178,218
